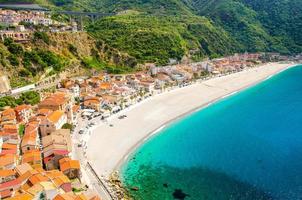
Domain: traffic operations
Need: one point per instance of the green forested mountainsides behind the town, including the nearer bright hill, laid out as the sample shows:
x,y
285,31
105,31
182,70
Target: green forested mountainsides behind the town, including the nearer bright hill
x,y
160,30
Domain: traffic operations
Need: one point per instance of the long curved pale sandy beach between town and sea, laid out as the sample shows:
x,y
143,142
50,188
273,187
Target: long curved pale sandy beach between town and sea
x,y
108,147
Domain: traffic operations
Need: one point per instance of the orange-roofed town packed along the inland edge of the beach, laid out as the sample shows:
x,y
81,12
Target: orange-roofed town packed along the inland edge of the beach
x,y
37,157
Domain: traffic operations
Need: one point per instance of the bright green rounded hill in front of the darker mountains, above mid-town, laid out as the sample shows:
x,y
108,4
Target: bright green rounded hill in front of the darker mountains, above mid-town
x,y
153,39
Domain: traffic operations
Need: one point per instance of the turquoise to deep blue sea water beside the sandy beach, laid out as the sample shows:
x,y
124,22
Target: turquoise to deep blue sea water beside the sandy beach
x,y
246,146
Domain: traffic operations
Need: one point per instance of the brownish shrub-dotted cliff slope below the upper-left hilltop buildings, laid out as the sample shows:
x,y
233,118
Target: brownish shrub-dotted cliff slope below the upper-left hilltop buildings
x,y
46,54
